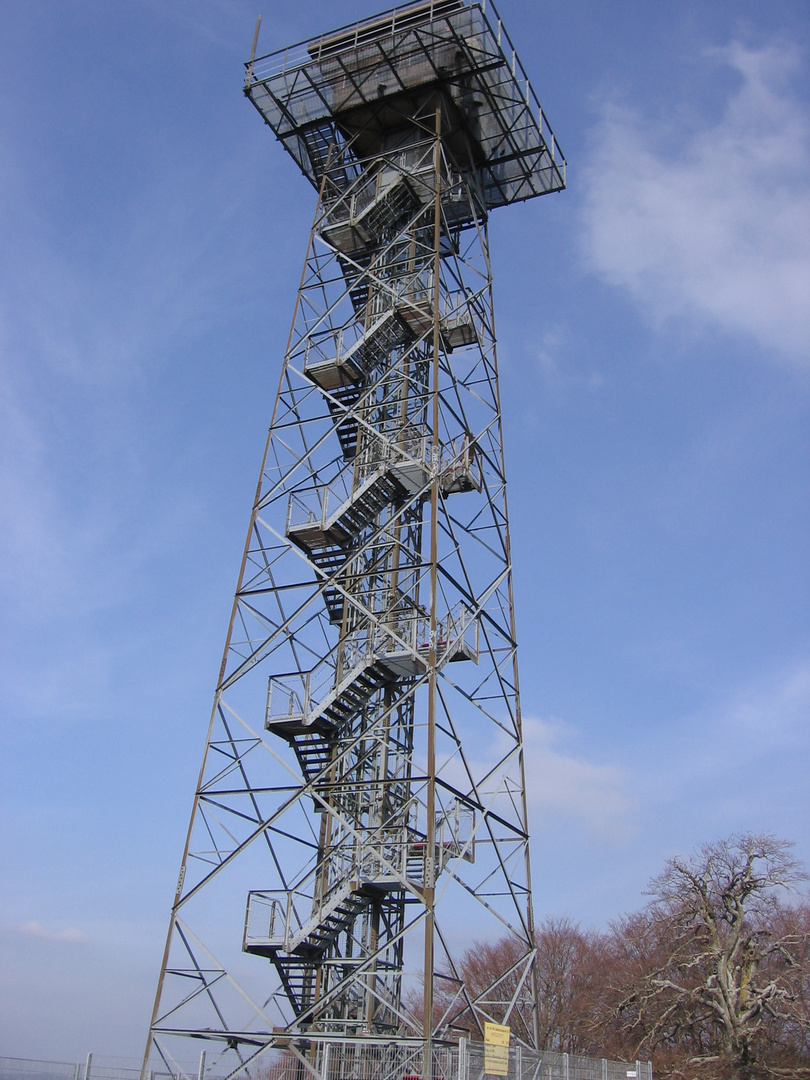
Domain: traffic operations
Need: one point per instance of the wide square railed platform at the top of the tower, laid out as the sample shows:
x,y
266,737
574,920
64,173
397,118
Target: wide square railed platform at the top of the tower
x,y
359,90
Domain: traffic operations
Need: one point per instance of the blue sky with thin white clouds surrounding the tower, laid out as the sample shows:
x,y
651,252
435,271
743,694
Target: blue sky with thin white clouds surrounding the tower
x,y
654,330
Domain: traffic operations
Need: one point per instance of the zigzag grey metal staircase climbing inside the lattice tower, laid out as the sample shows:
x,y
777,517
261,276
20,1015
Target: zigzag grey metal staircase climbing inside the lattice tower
x,y
385,634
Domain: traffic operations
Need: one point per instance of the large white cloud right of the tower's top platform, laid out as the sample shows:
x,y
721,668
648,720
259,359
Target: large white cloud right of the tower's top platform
x,y
718,232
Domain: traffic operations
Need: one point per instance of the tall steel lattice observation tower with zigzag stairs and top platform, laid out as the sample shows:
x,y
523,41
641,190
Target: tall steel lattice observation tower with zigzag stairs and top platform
x,y
361,808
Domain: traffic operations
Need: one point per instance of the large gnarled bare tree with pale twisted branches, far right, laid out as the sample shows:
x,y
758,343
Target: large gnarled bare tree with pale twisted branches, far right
x,y
714,966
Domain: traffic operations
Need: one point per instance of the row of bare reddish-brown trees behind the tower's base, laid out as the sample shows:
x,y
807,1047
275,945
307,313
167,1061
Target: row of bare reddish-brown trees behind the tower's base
x,y
710,980
